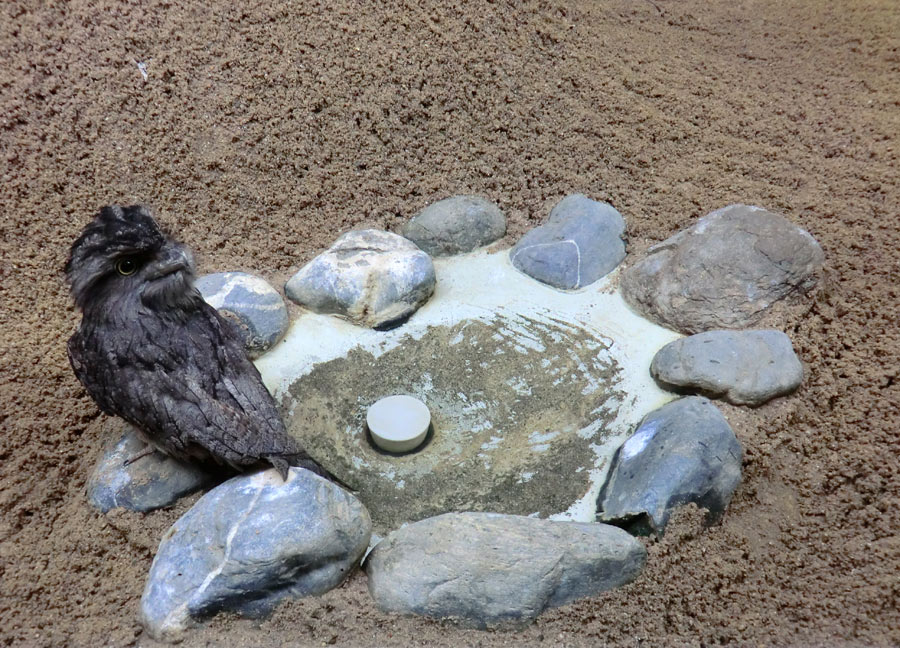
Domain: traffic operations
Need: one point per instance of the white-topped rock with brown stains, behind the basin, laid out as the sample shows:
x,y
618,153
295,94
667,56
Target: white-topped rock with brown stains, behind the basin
x,y
371,277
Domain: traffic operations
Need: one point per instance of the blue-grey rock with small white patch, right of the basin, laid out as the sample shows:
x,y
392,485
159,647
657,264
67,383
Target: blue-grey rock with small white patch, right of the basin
x,y
683,452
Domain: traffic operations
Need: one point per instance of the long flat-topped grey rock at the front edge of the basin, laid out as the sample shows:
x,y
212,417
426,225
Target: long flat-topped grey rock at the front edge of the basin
x,y
489,570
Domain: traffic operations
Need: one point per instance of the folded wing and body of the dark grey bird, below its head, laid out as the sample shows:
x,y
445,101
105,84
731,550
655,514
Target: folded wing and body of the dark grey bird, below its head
x,y
192,391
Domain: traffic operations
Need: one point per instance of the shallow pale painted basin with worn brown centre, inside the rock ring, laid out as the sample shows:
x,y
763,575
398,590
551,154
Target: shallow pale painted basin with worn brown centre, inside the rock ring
x,y
530,389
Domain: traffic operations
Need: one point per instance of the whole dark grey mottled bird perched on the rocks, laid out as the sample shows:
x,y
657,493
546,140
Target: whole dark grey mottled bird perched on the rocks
x,y
151,351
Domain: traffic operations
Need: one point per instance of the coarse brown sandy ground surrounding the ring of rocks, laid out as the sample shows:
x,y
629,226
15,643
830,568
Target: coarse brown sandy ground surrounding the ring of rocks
x,y
264,130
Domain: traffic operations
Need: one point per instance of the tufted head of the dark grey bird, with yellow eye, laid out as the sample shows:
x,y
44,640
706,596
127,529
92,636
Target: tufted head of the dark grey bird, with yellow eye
x,y
123,252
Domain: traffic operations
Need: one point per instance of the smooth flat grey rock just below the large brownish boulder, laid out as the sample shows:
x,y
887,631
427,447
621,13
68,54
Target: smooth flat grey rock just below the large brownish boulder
x,y
748,367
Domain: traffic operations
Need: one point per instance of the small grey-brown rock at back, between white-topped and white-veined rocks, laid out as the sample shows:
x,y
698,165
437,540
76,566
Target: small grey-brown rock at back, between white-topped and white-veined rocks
x,y
456,225
